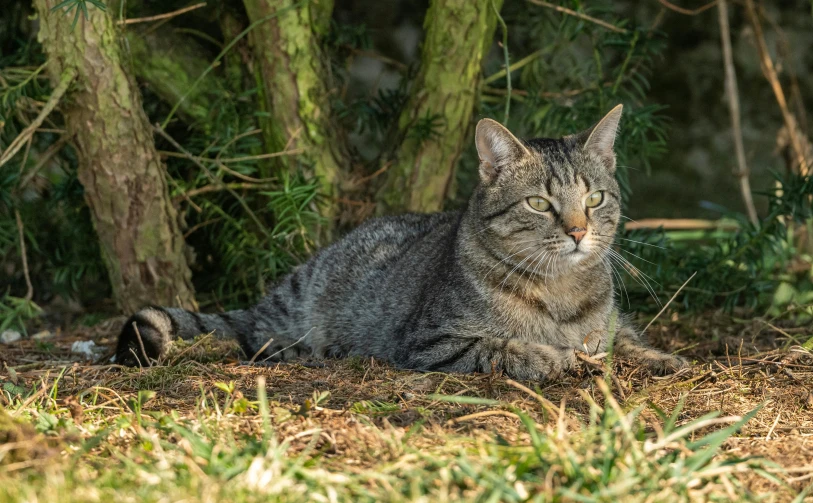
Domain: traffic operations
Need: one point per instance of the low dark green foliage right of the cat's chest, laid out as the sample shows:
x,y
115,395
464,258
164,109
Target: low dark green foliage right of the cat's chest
x,y
743,267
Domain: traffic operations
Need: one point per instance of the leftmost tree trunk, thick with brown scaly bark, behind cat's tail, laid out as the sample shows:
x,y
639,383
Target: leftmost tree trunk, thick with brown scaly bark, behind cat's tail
x,y
123,177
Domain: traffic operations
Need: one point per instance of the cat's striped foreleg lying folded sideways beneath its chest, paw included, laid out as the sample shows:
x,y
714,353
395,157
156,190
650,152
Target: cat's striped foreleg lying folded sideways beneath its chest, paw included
x,y
516,358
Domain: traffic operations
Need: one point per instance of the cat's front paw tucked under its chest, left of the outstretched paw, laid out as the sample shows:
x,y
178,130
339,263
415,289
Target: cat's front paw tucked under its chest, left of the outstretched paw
x,y
537,362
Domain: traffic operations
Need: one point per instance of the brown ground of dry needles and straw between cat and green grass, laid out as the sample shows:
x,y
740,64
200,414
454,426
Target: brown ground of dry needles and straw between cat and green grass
x,y
739,366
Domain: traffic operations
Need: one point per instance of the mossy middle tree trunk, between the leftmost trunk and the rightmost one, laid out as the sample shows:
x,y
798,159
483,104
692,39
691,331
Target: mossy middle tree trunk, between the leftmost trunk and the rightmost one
x,y
291,75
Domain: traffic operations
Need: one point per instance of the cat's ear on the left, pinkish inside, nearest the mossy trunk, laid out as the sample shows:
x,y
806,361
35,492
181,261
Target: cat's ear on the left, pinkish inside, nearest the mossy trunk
x,y
497,148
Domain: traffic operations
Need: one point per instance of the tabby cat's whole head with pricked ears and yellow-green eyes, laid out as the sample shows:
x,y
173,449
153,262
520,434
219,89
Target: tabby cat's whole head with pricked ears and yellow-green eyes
x,y
548,201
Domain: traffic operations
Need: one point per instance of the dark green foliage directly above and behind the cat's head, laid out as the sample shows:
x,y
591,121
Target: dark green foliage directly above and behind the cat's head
x,y
569,73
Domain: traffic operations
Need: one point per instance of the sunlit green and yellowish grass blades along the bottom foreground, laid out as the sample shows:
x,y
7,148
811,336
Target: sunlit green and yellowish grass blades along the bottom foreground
x,y
230,448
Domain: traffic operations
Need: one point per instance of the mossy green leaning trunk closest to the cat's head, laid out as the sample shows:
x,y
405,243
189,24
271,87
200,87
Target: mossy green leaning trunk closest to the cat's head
x,y
442,100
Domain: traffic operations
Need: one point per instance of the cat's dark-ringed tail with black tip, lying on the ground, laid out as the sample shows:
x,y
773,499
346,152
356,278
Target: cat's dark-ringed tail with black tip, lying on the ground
x,y
155,327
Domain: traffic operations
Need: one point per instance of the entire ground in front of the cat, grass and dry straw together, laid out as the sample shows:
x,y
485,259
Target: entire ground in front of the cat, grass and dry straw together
x,y
732,428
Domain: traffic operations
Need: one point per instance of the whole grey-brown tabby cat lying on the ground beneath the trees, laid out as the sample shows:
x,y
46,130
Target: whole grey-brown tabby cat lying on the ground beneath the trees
x,y
517,281
